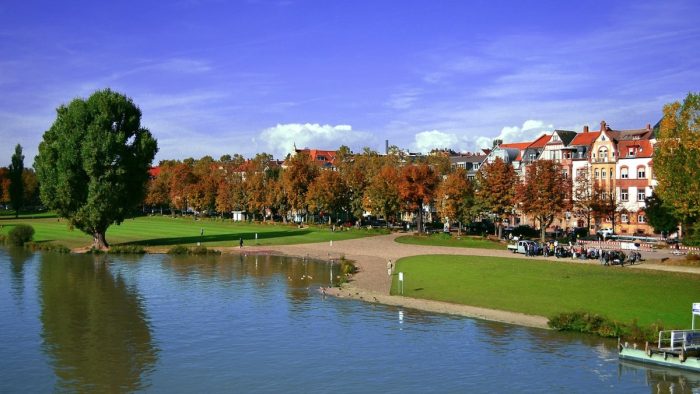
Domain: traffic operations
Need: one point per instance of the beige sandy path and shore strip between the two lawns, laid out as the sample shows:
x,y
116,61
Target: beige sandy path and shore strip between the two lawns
x,y
372,283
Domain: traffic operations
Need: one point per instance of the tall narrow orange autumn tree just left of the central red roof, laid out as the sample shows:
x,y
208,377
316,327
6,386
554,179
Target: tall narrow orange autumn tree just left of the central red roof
x,y
297,177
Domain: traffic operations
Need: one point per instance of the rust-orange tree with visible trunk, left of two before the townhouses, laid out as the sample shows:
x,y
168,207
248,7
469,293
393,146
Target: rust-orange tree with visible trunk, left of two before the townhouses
x,y
496,190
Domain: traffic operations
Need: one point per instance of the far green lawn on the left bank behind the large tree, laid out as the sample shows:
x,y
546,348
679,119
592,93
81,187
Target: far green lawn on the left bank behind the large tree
x,y
168,231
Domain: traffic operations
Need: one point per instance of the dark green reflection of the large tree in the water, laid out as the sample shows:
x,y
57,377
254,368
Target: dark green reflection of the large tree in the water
x,y
94,326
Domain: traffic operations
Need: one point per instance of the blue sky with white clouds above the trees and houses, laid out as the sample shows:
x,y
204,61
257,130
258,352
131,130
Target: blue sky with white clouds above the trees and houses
x,y
225,77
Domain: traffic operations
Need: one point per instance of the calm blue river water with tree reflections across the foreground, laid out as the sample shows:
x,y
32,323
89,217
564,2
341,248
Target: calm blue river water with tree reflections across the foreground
x,y
247,324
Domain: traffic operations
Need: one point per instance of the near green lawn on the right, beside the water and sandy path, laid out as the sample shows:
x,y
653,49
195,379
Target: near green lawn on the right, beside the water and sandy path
x,y
547,288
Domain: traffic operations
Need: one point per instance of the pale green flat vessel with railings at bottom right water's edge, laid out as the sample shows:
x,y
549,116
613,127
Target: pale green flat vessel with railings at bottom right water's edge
x,y
674,348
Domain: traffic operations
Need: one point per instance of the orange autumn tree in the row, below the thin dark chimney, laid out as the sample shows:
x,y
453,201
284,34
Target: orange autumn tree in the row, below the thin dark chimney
x,y
381,196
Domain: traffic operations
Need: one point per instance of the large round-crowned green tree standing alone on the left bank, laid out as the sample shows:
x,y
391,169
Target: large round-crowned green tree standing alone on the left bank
x,y
93,162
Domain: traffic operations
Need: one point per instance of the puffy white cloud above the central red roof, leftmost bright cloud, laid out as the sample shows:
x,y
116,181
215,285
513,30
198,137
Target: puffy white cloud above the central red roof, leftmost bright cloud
x,y
280,140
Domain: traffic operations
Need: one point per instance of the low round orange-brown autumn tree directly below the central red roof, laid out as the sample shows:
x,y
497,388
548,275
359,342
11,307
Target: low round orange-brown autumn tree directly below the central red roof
x,y
327,194
